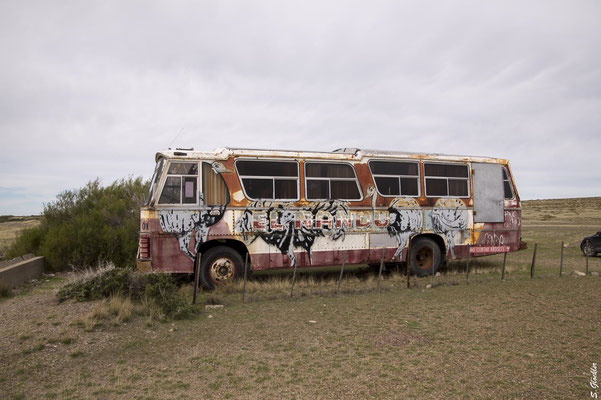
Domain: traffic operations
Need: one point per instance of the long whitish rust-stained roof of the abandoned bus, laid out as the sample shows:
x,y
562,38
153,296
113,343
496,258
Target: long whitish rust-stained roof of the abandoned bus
x,y
347,153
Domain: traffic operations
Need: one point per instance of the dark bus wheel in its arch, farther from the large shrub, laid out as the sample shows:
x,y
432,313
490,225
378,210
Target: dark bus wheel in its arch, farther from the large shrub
x,y
426,254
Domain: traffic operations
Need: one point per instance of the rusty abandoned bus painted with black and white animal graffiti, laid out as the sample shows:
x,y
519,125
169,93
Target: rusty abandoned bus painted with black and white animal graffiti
x,y
300,209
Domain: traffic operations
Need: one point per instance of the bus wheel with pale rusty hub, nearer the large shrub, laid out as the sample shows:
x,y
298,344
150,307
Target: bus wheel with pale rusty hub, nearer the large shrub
x,y
220,265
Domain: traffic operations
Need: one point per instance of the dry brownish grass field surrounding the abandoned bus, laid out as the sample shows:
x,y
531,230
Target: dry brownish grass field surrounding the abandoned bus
x,y
463,338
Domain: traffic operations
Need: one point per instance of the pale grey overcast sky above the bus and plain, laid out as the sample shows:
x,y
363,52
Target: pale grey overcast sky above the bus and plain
x,y
94,89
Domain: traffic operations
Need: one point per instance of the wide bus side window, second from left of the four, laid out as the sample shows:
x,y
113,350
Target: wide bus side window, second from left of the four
x,y
325,181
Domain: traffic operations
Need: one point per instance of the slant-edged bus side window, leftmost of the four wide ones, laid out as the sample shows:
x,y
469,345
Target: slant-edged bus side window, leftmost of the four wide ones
x,y
277,180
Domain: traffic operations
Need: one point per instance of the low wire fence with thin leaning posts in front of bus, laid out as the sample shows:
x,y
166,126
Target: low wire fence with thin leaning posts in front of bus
x,y
537,262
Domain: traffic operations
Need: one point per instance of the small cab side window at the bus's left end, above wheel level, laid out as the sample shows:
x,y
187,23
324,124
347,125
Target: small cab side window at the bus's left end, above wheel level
x,y
181,184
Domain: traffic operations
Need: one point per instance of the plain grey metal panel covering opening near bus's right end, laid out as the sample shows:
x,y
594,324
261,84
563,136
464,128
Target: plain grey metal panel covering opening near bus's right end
x,y
488,192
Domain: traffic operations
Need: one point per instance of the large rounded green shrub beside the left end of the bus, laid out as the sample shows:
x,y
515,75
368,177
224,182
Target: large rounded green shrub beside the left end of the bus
x,y
82,227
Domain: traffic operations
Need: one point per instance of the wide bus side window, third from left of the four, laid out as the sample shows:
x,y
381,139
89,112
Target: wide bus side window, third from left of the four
x,y
395,178
